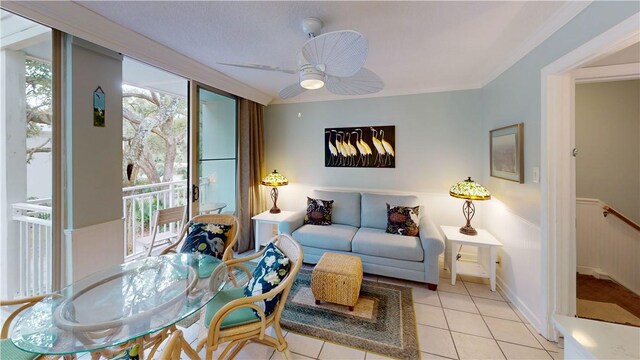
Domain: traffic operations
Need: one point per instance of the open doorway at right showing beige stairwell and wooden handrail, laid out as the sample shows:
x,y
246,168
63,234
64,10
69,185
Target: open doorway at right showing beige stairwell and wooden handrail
x,y
608,195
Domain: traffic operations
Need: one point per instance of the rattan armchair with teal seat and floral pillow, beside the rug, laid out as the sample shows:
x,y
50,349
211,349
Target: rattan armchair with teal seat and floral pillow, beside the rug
x,y
244,313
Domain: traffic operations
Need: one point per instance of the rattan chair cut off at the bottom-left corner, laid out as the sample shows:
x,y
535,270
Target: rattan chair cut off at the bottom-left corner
x,y
7,349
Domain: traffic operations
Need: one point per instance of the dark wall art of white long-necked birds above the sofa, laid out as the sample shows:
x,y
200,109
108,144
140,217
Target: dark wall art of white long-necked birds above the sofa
x,y
363,146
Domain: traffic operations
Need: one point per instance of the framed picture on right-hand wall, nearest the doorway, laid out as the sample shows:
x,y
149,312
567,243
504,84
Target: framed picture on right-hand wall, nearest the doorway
x,y
506,151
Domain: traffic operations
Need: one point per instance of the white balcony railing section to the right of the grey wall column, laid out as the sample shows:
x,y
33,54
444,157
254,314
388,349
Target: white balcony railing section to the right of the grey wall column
x,y
138,206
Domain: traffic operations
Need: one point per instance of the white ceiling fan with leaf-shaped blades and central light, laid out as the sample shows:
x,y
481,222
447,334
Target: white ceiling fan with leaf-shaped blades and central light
x,y
334,59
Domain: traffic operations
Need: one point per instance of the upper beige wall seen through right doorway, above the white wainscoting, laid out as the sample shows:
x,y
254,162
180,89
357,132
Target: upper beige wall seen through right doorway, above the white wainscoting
x,y
608,138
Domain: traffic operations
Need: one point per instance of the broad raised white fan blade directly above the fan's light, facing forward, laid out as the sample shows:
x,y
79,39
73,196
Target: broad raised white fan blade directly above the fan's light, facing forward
x,y
341,53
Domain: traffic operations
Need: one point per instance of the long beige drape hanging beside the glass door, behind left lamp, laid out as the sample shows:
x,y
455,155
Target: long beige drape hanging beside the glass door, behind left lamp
x,y
251,168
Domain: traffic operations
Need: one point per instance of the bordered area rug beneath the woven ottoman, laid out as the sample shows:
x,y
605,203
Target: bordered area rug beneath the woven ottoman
x,y
383,320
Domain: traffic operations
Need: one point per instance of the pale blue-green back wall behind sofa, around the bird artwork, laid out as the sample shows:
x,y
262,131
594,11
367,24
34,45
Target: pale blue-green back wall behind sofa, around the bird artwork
x,y
437,140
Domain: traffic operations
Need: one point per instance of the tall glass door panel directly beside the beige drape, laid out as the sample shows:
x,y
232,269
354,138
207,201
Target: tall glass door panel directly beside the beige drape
x,y
214,151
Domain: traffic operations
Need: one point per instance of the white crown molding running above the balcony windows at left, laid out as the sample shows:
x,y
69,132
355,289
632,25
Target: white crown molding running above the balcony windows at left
x,y
76,20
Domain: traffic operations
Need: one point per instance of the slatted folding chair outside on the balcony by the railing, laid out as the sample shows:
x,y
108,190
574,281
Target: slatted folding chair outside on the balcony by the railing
x,y
165,227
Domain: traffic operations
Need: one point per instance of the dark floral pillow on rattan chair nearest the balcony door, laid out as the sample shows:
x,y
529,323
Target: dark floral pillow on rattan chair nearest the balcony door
x,y
208,239
